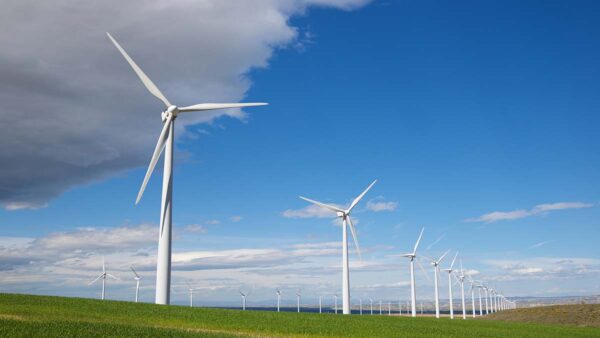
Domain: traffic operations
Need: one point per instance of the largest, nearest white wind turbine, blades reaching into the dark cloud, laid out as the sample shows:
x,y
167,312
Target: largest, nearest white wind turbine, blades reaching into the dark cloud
x,y
165,141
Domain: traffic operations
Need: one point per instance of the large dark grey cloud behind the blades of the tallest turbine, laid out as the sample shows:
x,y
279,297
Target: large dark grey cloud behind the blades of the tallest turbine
x,y
73,112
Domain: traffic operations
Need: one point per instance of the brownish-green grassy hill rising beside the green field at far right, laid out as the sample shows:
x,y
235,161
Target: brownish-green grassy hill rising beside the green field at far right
x,y
580,315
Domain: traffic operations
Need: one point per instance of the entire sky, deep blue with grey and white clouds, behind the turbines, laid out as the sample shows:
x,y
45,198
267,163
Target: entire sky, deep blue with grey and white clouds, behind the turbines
x,y
479,120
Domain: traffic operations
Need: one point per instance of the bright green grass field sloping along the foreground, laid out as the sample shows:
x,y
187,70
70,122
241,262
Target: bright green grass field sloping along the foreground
x,y
26,316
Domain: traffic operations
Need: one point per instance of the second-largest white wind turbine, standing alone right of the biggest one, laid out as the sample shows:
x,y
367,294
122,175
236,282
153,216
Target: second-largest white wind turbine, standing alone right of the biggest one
x,y
345,216
